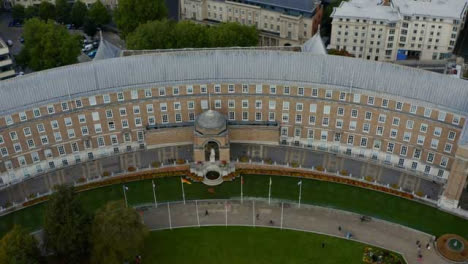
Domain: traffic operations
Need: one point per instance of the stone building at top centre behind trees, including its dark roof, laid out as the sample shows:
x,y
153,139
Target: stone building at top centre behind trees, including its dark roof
x,y
279,22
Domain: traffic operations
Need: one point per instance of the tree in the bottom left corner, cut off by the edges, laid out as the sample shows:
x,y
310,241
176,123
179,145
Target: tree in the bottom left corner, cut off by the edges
x,y
19,247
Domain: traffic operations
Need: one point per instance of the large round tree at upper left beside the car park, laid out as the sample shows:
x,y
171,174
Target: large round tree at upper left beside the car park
x,y
47,45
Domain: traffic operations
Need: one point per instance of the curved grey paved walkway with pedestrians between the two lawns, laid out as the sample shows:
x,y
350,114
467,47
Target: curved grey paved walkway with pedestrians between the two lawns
x,y
285,215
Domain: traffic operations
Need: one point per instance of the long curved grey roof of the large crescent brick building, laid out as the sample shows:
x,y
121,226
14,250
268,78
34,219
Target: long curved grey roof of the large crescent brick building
x,y
226,66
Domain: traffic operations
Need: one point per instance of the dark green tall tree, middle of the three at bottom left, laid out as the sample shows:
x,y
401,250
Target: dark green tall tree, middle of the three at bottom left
x,y
66,226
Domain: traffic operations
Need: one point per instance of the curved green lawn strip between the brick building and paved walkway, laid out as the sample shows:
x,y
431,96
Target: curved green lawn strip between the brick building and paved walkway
x,y
380,205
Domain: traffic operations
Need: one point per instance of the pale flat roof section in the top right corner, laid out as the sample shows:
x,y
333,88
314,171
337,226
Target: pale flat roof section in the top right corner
x,y
434,8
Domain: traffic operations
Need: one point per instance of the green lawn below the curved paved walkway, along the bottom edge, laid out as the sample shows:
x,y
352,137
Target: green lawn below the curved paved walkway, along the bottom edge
x,y
247,245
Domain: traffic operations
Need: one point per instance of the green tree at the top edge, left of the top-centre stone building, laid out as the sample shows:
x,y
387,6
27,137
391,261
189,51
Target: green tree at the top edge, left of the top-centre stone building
x,y
129,14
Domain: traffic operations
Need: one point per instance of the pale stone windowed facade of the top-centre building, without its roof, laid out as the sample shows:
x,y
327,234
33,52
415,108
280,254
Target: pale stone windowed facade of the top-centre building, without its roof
x,y
276,28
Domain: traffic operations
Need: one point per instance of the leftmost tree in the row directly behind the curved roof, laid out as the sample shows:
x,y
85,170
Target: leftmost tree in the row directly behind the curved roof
x,y
153,35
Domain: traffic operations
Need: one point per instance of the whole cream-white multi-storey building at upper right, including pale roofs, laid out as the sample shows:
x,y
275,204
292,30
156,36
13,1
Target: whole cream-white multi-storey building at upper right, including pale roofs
x,y
394,30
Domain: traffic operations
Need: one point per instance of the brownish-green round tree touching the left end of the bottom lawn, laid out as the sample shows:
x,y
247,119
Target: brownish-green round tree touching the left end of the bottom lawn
x,y
117,234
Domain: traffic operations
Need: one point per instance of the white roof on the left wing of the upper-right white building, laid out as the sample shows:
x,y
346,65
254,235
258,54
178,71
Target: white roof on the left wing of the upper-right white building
x,y
366,9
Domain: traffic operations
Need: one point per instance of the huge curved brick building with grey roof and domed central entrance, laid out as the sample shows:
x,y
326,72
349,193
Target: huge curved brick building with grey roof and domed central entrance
x,y
400,126
